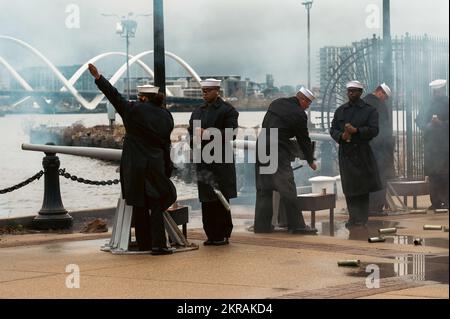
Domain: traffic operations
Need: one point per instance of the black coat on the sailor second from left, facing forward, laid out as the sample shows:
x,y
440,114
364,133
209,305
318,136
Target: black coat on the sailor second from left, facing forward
x,y
219,115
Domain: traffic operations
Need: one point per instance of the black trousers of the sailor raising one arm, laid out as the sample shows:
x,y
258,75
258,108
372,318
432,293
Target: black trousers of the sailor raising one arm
x,y
149,228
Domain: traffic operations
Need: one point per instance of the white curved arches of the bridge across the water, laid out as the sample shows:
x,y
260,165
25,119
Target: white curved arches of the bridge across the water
x,y
68,84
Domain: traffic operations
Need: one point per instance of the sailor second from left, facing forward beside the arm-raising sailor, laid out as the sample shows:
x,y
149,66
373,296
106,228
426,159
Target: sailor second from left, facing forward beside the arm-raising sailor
x,y
221,174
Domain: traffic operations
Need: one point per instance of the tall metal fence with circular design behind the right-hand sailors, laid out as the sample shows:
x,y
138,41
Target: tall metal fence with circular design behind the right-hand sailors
x,y
417,60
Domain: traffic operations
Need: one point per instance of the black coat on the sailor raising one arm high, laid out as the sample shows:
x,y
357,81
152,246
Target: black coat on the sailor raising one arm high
x,y
145,167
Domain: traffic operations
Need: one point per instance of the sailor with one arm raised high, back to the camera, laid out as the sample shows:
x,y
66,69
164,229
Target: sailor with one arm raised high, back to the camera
x,y
145,166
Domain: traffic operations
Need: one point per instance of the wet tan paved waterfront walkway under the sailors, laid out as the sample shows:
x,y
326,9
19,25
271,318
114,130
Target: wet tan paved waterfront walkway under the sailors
x,y
276,265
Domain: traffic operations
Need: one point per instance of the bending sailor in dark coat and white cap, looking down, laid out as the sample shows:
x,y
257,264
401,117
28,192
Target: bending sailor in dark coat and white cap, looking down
x,y
288,117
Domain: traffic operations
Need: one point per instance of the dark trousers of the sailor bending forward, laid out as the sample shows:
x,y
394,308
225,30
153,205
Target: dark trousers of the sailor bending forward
x,y
264,211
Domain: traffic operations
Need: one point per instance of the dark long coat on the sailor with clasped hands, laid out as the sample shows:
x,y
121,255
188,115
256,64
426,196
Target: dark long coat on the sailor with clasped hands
x,y
357,164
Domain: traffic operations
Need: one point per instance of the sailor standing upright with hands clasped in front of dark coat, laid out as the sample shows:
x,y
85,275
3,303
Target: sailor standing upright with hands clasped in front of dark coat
x,y
354,125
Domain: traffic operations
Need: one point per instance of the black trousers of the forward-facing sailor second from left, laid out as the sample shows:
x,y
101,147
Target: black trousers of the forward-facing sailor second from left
x,y
217,221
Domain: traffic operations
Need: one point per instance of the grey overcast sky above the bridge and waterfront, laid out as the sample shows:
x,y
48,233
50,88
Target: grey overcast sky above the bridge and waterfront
x,y
243,37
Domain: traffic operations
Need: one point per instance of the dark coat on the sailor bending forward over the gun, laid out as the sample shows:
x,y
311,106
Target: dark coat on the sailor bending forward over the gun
x,y
291,121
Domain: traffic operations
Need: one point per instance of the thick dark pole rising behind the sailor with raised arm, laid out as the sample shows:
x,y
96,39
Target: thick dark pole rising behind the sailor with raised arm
x,y
158,38
